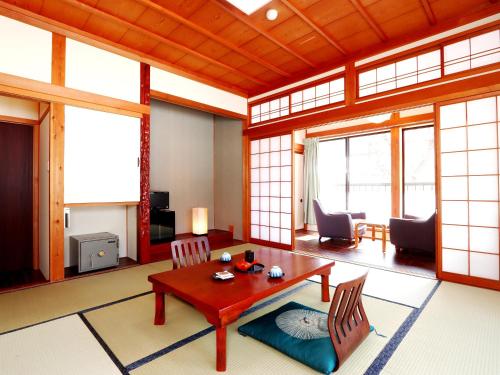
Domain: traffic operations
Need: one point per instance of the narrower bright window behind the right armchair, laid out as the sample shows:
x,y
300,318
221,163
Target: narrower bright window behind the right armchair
x,y
419,192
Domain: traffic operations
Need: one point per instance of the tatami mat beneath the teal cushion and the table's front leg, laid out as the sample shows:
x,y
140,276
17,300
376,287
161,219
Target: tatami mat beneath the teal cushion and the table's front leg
x,y
248,356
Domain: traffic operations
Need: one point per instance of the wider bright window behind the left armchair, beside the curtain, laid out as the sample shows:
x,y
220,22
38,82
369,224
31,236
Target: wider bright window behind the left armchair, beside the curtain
x,y
355,175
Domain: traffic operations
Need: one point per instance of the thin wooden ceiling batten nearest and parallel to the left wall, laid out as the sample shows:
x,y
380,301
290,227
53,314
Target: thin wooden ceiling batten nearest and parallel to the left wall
x,y
161,39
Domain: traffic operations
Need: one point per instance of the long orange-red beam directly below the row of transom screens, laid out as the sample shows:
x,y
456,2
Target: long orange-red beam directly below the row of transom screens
x,y
425,96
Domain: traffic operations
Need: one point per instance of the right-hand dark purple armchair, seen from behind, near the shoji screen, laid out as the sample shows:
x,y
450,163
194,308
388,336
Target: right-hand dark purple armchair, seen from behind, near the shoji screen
x,y
414,234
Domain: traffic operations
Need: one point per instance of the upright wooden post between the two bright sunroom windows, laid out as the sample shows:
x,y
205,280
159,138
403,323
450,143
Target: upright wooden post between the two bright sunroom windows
x,y
396,172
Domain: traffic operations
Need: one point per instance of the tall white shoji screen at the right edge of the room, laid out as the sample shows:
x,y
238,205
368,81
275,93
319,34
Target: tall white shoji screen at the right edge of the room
x,y
469,187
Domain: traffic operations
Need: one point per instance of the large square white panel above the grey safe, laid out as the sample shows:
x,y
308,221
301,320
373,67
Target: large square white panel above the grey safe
x,y
101,152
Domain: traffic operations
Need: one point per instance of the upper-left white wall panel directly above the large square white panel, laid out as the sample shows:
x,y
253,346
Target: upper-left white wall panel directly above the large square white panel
x,y
101,72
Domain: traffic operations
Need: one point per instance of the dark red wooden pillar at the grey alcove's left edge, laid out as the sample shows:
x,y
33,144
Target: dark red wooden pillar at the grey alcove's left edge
x,y
143,223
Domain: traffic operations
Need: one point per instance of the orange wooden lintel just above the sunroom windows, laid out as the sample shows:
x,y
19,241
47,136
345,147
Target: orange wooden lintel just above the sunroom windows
x,y
369,126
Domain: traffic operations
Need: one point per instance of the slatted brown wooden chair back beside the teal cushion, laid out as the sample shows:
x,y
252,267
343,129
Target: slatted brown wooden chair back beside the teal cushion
x,y
347,321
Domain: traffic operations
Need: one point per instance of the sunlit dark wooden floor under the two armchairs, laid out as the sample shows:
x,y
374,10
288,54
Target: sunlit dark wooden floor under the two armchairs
x,y
368,253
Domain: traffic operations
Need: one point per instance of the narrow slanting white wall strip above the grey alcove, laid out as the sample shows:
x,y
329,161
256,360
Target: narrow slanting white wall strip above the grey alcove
x,y
174,84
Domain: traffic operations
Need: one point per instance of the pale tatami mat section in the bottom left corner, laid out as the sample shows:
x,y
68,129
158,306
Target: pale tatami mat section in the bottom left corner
x,y
60,347
